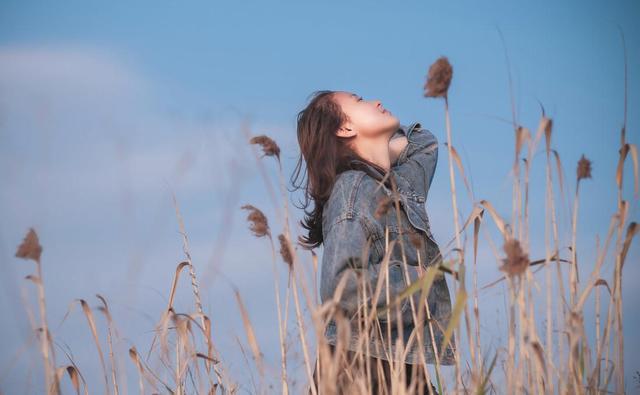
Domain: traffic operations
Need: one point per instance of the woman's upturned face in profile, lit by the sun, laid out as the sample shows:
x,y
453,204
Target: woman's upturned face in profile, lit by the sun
x,y
367,118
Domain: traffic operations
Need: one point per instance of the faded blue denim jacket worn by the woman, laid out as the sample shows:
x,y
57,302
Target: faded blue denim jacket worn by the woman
x,y
350,224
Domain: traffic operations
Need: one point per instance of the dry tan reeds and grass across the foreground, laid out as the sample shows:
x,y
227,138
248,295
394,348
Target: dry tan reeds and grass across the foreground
x,y
555,357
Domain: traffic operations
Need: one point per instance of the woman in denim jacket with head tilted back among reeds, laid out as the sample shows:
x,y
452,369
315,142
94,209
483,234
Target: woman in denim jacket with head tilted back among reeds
x,y
362,164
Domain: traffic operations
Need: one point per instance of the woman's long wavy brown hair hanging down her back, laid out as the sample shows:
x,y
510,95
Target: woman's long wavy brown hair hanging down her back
x,y
326,156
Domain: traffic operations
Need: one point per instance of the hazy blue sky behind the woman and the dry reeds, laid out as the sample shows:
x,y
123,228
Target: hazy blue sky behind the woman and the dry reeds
x,y
108,108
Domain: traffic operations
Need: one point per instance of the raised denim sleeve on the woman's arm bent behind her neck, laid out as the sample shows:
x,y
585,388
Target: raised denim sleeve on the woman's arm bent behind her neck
x,y
417,161
